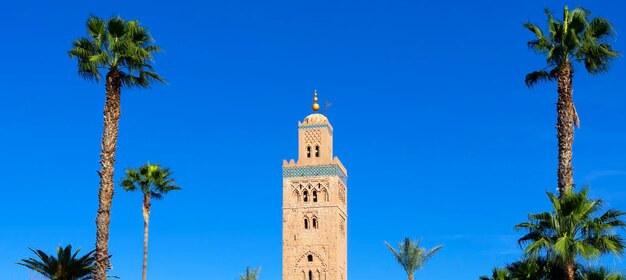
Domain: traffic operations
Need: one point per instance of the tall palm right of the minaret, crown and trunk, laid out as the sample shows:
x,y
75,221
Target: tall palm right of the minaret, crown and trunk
x,y
576,38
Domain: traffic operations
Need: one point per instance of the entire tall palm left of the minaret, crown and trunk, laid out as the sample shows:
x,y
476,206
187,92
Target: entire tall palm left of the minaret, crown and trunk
x,y
123,50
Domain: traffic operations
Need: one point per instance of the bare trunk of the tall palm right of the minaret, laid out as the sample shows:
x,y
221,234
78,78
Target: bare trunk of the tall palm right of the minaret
x,y
565,127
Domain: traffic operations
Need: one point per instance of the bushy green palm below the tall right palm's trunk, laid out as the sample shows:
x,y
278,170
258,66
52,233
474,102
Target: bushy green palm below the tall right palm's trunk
x,y
573,229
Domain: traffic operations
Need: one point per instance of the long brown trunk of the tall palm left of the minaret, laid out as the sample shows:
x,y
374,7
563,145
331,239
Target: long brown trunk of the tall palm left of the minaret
x,y
107,161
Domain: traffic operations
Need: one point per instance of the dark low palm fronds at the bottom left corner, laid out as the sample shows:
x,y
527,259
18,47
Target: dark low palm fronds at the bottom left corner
x,y
65,266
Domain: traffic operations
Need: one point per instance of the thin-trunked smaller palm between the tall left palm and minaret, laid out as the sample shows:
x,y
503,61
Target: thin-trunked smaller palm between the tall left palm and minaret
x,y
153,181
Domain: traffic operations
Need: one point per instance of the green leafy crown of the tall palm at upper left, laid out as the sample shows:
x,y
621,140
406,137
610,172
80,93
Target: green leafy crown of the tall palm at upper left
x,y
116,45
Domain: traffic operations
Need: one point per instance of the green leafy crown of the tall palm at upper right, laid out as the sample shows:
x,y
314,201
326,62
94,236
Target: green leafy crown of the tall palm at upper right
x,y
575,38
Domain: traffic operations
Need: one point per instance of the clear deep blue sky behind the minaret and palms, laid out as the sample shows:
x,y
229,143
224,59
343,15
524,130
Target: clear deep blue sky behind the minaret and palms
x,y
441,138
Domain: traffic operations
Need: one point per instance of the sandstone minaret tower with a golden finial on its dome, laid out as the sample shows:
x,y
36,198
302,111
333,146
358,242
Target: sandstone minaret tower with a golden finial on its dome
x,y
315,212
